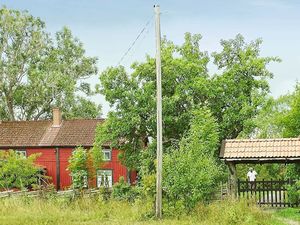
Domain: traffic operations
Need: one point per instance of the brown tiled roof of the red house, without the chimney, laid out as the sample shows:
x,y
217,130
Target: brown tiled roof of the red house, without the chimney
x,y
41,133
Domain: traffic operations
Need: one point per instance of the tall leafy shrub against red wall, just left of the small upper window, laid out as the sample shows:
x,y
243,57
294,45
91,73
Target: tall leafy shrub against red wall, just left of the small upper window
x,y
83,165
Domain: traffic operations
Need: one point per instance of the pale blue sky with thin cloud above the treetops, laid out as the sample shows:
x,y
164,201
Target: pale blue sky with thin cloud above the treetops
x,y
108,27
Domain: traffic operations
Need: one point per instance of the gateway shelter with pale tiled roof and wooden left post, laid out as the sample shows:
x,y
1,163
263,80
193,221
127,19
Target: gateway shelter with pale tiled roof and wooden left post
x,y
258,151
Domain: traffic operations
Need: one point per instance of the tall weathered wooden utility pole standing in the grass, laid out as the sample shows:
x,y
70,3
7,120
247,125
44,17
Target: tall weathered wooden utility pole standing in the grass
x,y
159,116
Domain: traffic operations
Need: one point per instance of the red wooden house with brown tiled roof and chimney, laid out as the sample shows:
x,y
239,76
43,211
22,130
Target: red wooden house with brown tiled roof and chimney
x,y
55,140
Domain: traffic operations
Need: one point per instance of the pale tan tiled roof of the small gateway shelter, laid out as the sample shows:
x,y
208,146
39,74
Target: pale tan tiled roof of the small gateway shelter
x,y
260,149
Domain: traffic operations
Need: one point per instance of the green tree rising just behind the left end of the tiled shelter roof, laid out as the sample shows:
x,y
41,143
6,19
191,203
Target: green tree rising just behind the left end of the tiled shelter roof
x,y
240,90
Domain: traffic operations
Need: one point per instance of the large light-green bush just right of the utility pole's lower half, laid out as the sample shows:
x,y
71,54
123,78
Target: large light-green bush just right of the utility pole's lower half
x,y
191,172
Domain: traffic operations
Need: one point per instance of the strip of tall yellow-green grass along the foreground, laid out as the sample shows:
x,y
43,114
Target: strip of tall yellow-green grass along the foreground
x,y
90,211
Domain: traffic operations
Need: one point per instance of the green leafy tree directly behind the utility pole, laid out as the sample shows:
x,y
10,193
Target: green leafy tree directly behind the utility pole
x,y
133,97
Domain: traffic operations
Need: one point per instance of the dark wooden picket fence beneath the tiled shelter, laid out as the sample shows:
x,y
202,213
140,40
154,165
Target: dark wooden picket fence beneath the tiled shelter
x,y
272,192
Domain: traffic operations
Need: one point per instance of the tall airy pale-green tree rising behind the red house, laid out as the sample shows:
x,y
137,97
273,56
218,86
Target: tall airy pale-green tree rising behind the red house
x,y
38,72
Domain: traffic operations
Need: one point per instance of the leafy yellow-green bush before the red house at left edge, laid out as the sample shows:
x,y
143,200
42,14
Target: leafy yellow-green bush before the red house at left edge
x,y
17,171
